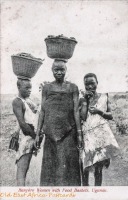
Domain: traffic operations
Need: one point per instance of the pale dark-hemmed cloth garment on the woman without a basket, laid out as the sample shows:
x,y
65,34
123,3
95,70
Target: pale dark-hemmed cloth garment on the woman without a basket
x,y
99,141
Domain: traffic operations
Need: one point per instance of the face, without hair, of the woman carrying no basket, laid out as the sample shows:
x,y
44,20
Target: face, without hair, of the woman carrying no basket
x,y
90,84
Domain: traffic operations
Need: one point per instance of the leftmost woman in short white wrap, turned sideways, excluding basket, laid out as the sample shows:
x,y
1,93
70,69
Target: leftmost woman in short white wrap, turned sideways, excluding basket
x,y
26,119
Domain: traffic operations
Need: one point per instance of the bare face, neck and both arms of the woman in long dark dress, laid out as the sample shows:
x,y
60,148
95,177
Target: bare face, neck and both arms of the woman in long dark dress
x,y
59,74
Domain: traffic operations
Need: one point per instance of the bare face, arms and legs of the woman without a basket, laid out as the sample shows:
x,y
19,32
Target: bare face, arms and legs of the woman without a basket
x,y
88,105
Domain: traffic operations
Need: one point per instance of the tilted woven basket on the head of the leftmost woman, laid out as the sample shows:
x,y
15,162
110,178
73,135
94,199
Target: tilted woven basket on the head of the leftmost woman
x,y
25,65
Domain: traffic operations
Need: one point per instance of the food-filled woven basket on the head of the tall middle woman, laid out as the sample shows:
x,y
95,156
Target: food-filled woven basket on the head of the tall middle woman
x,y
60,47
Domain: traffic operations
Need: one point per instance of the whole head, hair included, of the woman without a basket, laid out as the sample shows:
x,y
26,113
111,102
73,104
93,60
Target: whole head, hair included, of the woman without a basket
x,y
90,82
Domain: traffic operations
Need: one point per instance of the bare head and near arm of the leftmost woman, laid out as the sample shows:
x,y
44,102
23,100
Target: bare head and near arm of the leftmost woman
x,y
19,107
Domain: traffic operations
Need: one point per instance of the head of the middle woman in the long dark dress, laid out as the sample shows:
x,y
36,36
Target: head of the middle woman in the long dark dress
x,y
59,69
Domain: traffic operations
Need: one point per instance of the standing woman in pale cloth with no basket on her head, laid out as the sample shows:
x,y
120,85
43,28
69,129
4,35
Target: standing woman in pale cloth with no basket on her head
x,y
99,142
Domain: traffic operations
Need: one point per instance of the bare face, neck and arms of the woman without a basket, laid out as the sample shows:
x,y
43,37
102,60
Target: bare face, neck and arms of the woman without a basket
x,y
90,98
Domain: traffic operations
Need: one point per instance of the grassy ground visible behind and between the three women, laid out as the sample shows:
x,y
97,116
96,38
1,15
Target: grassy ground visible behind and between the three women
x,y
116,175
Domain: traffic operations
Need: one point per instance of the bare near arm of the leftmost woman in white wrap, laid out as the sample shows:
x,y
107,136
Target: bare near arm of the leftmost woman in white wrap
x,y
19,109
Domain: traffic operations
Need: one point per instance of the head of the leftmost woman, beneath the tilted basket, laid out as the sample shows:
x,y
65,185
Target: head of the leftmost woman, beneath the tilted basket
x,y
24,87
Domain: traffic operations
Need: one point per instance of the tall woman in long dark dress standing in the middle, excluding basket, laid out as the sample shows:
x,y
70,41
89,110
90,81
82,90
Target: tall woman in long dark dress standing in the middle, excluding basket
x,y
59,118
